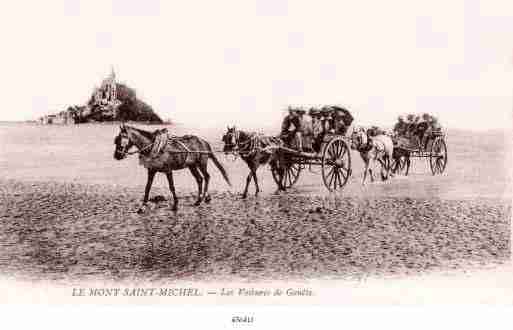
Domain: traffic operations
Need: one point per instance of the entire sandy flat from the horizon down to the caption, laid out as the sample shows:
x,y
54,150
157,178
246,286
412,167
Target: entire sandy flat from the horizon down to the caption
x,y
68,214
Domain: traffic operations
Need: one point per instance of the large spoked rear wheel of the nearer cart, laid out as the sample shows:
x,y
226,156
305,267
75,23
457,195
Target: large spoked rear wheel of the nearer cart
x,y
336,164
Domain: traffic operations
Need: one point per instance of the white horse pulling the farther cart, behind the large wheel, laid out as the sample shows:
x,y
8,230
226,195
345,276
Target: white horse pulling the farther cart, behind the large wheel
x,y
377,148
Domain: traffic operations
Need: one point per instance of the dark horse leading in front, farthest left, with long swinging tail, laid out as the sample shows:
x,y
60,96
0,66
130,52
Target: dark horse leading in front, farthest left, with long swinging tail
x,y
176,153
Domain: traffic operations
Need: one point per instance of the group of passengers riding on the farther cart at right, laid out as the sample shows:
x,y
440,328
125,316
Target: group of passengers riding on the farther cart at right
x,y
416,129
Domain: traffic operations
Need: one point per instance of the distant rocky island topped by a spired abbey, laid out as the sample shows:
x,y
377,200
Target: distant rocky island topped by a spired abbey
x,y
112,101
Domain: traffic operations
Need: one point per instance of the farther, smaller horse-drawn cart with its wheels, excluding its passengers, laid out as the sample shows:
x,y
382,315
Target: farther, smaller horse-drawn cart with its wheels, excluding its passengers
x,y
433,148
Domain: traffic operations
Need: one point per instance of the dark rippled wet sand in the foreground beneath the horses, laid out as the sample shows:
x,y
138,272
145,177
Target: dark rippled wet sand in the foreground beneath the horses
x,y
60,231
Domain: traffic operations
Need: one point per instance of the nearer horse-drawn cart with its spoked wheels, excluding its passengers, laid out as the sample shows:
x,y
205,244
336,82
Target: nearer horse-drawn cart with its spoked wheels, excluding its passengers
x,y
334,159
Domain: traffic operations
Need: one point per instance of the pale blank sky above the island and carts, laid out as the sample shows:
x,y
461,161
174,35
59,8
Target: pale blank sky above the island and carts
x,y
217,62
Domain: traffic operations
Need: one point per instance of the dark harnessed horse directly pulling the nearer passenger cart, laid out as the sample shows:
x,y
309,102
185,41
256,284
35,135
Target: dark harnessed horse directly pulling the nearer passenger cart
x,y
255,150
